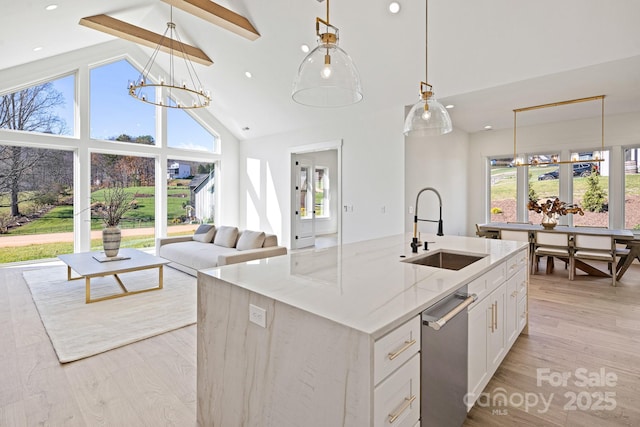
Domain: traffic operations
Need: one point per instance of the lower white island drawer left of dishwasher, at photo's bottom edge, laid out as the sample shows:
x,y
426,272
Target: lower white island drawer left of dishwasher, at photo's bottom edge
x,y
399,396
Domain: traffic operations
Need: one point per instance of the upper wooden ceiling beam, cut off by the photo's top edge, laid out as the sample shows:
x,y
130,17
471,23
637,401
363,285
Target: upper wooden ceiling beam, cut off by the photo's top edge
x,y
218,15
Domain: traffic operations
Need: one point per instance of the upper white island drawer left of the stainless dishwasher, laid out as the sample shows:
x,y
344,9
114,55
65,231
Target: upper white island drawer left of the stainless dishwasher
x,y
394,349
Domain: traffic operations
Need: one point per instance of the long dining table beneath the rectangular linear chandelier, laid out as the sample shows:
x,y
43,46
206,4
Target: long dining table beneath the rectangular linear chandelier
x,y
621,236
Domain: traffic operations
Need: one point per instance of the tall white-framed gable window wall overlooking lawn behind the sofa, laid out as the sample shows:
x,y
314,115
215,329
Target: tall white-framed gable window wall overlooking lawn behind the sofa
x,y
117,139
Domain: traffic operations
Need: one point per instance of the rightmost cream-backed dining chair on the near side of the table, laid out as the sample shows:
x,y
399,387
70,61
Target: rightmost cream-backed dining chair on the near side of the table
x,y
594,248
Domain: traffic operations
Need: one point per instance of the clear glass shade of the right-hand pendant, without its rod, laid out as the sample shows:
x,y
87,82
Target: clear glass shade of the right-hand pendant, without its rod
x,y
432,121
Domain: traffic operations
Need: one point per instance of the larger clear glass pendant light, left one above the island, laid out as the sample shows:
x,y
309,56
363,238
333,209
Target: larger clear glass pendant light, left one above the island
x,y
327,76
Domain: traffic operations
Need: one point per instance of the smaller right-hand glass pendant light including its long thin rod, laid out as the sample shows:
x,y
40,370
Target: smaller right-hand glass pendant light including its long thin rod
x,y
427,117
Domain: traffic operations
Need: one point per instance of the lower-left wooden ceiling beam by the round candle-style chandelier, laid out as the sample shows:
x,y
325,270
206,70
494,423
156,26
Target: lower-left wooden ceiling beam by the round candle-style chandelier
x,y
130,32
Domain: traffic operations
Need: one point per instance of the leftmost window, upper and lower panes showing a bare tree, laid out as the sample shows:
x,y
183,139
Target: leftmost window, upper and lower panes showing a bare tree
x,y
36,184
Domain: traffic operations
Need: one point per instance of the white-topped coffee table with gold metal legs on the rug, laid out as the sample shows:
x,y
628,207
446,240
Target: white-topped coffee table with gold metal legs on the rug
x,y
87,266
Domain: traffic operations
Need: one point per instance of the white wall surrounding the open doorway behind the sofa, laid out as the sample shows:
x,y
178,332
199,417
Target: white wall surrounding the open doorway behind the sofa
x,y
372,175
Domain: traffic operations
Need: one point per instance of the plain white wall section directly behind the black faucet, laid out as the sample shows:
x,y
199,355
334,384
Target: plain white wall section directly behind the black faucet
x,y
440,162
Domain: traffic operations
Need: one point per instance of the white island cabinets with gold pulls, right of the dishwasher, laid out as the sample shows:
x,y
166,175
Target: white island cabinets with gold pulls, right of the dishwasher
x,y
495,320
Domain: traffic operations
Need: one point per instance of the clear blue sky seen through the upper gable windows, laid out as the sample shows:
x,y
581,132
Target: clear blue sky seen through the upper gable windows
x,y
114,112
